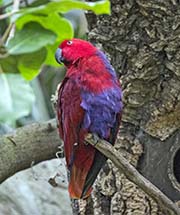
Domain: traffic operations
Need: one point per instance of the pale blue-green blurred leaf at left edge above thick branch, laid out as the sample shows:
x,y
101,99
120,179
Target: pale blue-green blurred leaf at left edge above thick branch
x,y
16,98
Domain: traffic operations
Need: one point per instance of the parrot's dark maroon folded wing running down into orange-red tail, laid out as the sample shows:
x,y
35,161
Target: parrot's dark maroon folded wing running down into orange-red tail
x,y
70,115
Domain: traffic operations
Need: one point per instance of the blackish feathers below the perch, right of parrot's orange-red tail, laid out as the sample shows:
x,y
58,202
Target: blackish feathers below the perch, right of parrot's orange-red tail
x,y
98,163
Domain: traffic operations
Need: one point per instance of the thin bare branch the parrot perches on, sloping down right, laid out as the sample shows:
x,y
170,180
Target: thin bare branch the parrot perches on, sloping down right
x,y
133,175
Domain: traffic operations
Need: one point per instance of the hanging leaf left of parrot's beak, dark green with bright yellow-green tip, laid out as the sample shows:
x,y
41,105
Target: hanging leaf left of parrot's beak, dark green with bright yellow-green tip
x,y
29,64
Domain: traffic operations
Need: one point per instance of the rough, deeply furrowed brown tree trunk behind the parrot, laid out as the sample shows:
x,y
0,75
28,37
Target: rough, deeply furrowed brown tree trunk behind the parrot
x,y
142,40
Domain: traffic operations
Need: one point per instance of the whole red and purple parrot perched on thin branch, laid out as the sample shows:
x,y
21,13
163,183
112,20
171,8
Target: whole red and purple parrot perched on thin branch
x,y
89,101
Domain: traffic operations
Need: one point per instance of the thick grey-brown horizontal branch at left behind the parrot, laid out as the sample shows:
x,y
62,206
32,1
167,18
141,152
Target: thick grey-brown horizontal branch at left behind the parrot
x,y
28,145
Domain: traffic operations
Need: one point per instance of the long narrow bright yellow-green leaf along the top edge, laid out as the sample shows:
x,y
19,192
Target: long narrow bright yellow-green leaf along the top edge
x,y
63,6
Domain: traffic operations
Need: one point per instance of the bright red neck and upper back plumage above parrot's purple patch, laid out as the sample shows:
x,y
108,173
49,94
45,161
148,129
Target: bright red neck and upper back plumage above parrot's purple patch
x,y
92,74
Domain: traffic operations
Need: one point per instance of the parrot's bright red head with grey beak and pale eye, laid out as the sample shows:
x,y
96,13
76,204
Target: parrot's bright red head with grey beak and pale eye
x,y
70,51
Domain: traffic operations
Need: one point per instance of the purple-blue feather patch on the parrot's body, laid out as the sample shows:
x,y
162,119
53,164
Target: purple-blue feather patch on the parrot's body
x,y
101,110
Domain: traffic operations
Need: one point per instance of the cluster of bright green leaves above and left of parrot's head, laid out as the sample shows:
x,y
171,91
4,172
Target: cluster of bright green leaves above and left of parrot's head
x,y
40,29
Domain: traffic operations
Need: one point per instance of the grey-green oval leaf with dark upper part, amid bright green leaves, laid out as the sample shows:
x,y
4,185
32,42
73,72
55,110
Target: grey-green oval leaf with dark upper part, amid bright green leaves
x,y
30,39
